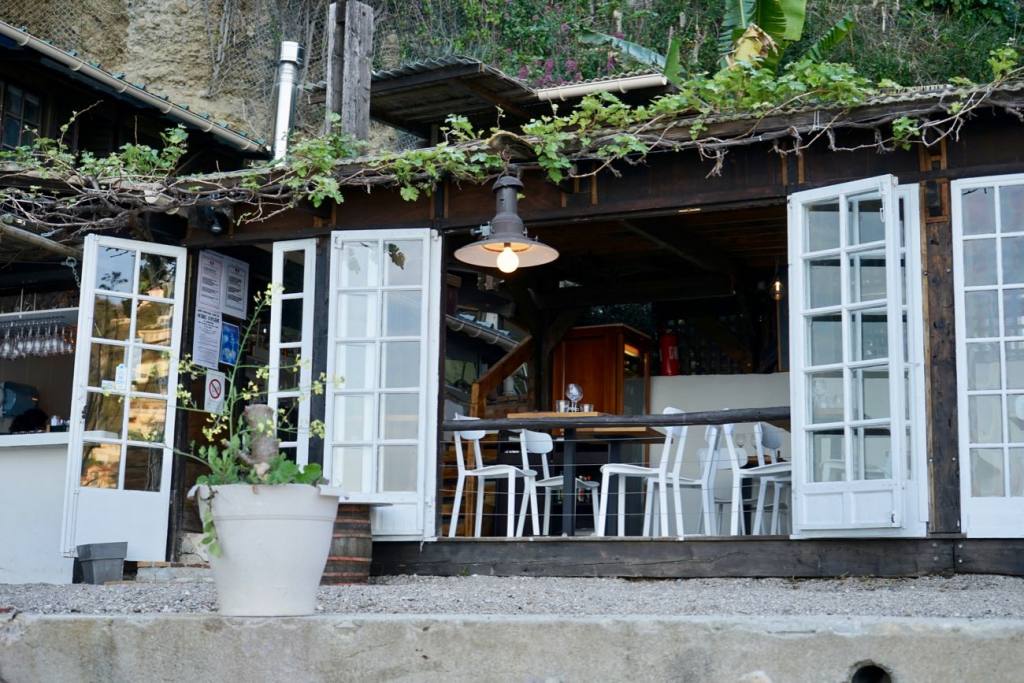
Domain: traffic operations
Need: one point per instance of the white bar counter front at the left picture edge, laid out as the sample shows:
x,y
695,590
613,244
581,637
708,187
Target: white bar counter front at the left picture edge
x,y
33,469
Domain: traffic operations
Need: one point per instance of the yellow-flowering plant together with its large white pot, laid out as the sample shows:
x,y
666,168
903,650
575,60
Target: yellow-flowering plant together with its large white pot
x,y
267,524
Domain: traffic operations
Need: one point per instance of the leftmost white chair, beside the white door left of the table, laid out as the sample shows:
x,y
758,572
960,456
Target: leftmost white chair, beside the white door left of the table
x,y
486,474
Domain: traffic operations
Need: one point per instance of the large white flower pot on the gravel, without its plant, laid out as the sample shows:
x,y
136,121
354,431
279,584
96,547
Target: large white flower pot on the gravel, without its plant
x,y
275,543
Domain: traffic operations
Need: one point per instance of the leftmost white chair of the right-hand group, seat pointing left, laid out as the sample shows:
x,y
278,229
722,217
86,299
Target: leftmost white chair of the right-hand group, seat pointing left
x,y
658,479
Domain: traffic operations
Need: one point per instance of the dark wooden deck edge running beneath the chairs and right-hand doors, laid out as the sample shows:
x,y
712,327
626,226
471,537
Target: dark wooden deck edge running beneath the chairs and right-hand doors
x,y
670,559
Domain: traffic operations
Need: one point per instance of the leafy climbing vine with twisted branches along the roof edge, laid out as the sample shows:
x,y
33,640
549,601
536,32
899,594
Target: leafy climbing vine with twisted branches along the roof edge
x,y
54,192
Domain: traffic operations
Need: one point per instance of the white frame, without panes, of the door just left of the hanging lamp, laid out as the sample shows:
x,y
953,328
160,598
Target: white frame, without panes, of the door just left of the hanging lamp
x,y
424,499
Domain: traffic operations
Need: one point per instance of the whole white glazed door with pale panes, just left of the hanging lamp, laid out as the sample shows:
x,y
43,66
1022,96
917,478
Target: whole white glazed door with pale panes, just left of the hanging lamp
x,y
383,352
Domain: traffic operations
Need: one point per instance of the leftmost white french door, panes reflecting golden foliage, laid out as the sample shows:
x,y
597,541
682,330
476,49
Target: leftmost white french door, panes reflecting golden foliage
x,y
122,418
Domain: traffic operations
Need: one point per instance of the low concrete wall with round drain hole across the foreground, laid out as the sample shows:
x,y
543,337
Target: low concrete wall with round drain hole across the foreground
x,y
354,648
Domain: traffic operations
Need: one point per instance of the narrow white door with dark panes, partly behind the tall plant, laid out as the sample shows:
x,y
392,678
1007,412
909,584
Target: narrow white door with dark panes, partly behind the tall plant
x,y
293,280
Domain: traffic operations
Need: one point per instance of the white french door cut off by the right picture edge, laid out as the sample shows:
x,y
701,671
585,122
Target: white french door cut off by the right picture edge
x,y
989,277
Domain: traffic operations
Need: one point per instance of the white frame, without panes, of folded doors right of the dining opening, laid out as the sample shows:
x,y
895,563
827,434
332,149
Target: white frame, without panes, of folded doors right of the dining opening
x,y
909,499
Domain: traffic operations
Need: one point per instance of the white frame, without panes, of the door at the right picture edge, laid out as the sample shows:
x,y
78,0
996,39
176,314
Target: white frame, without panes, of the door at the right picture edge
x,y
983,517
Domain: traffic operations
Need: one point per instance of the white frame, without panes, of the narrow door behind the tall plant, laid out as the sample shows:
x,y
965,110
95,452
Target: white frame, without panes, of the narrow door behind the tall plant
x,y
301,422
